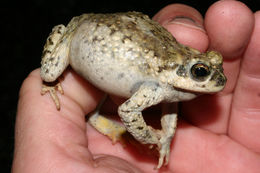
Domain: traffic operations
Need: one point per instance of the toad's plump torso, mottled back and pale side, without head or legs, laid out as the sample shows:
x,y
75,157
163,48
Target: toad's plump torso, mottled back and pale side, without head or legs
x,y
117,52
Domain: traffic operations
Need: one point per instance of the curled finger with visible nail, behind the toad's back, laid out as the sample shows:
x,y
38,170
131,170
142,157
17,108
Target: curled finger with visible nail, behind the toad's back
x,y
186,25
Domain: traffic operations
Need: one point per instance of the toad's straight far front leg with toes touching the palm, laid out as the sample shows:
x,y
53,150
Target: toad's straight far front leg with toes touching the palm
x,y
169,123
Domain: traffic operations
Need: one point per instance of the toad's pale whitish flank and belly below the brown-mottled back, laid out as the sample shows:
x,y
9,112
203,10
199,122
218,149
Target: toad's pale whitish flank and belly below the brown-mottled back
x,y
105,68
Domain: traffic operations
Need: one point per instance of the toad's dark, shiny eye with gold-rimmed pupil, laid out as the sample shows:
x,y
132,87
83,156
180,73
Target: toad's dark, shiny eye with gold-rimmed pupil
x,y
200,71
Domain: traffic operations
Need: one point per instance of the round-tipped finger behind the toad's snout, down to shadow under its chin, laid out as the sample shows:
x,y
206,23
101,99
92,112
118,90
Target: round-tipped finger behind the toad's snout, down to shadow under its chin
x,y
229,26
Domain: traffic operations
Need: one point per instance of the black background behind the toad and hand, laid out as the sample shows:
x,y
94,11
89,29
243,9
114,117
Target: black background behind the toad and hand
x,y
24,29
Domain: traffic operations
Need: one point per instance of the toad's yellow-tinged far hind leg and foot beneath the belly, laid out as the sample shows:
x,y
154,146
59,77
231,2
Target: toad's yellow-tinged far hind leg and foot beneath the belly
x,y
107,127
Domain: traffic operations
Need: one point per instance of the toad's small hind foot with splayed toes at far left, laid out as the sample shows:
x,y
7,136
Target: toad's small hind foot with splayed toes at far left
x,y
52,88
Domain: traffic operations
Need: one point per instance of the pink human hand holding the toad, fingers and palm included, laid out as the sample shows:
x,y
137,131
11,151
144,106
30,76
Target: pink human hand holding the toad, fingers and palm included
x,y
216,133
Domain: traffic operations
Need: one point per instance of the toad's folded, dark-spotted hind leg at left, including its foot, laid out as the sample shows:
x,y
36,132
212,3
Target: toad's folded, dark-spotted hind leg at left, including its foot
x,y
55,60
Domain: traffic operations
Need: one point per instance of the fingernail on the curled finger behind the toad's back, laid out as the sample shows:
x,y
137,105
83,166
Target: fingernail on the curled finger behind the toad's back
x,y
185,21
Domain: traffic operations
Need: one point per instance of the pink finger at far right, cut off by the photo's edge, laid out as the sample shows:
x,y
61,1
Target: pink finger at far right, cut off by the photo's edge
x,y
245,119
